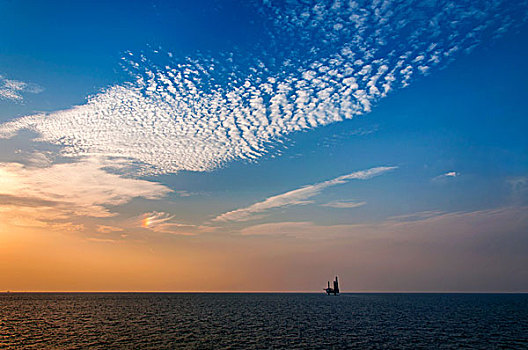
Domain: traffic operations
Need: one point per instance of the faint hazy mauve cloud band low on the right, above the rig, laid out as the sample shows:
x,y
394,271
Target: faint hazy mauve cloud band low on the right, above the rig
x,y
448,227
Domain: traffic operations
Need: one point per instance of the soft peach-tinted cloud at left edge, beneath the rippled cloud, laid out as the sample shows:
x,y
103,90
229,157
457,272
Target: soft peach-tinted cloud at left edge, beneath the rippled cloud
x,y
63,191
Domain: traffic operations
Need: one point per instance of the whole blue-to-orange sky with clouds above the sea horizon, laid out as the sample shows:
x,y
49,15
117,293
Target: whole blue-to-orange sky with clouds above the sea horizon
x,y
264,145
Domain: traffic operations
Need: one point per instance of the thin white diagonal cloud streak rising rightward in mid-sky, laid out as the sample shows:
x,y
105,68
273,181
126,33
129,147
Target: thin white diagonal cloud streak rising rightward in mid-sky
x,y
298,196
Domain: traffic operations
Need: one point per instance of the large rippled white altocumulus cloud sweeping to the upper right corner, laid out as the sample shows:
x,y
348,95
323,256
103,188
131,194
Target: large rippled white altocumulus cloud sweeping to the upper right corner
x,y
320,63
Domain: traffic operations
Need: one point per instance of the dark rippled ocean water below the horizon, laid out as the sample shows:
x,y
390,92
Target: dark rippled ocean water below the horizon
x,y
262,321
